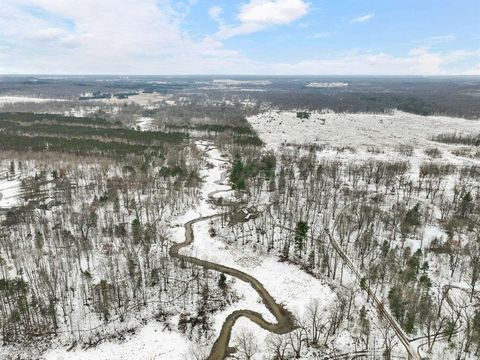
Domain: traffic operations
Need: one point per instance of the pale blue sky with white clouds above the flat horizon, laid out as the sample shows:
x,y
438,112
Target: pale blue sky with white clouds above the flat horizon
x,y
250,37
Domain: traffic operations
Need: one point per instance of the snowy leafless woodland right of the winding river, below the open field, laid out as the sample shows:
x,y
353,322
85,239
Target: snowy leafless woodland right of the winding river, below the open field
x,y
378,212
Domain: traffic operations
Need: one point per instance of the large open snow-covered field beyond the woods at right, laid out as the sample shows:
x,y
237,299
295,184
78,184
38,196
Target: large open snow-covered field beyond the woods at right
x,y
356,130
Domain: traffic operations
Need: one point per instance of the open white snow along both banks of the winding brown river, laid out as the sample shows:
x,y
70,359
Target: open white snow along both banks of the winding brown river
x,y
287,283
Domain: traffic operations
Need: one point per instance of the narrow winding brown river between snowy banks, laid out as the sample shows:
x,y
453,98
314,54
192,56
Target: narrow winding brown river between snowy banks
x,y
285,320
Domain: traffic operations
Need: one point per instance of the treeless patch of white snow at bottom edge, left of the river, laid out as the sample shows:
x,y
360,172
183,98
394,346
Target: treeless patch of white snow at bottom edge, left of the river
x,y
151,342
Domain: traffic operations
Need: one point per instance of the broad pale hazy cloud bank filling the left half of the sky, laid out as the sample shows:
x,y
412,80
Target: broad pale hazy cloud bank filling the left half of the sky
x,y
110,36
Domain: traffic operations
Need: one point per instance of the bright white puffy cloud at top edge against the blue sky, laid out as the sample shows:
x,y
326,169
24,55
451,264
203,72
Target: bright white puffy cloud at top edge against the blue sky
x,y
257,15
